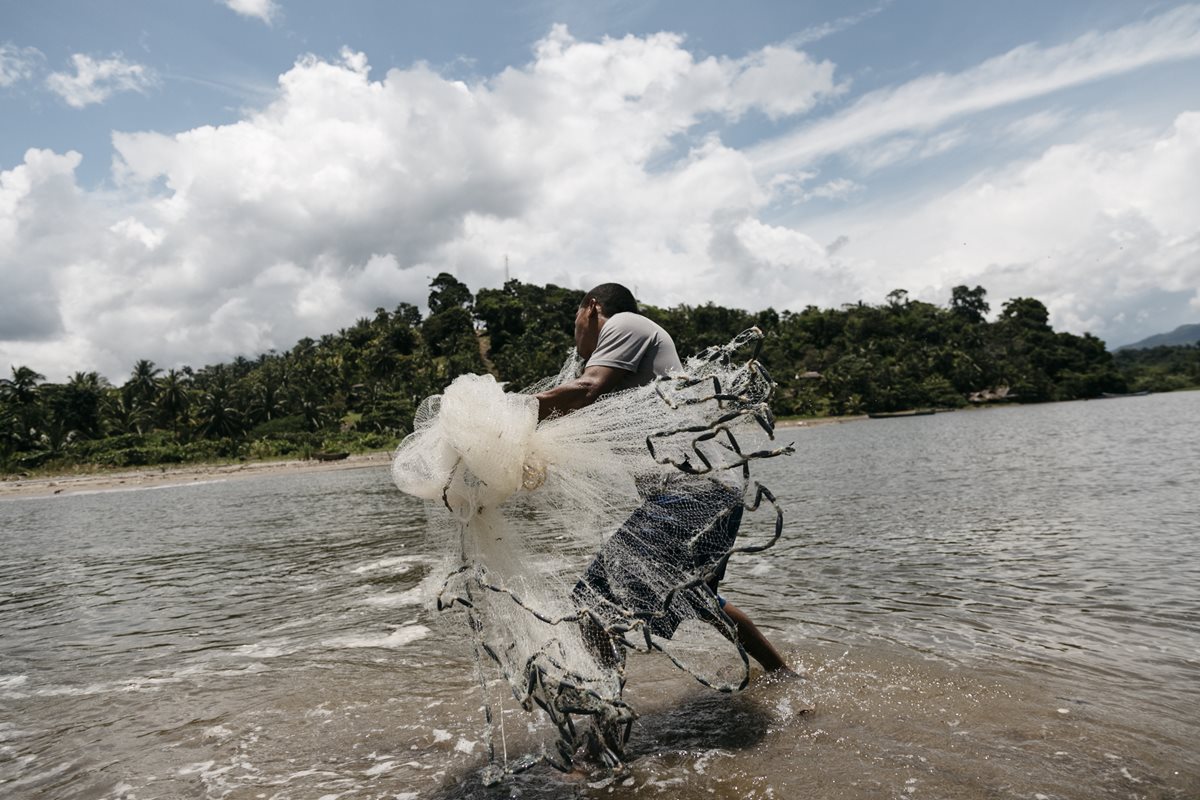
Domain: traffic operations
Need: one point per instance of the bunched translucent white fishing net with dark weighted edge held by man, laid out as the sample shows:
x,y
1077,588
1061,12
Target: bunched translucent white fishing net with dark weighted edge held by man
x,y
525,516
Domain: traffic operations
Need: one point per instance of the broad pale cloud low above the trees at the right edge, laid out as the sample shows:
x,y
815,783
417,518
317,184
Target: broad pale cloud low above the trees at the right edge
x,y
1091,228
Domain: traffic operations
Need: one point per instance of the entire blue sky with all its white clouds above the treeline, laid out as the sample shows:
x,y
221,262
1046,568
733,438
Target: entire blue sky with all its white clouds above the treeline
x,y
195,181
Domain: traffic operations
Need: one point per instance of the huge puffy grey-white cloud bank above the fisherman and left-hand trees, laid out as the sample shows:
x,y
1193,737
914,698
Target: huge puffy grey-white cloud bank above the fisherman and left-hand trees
x,y
347,194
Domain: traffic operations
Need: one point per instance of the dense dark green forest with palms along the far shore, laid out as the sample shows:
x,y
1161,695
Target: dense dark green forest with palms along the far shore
x,y
358,389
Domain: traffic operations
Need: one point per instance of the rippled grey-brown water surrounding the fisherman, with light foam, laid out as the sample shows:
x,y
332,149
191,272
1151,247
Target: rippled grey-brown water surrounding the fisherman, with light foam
x,y
998,604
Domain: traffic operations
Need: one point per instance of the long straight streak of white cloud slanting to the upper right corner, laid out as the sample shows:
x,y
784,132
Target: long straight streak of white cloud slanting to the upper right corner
x,y
1025,73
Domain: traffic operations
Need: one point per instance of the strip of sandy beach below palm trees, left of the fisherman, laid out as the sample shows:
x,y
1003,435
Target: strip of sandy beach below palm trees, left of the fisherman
x,y
166,477
